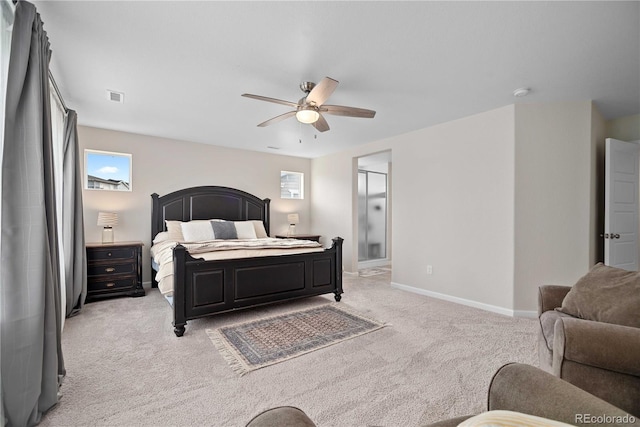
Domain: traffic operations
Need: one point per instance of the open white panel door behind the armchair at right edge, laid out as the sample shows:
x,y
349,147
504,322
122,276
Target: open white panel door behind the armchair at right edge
x,y
621,204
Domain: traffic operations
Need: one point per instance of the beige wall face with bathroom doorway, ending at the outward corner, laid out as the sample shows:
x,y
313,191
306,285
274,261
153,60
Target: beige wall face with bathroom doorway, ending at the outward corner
x,y
452,189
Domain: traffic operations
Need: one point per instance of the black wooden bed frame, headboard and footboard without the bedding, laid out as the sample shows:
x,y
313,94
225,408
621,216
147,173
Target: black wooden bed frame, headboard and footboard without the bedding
x,y
202,288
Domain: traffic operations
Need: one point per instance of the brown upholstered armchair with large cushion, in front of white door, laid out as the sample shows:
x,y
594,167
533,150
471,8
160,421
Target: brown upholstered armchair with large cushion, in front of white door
x,y
588,335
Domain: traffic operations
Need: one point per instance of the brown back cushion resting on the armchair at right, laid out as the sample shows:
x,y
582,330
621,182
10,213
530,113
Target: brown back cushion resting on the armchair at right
x,y
605,294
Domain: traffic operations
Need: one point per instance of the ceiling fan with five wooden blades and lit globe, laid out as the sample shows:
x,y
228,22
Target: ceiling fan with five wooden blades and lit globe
x,y
309,108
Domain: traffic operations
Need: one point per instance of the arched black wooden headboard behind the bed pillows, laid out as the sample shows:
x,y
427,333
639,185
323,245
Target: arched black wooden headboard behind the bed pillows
x,y
207,202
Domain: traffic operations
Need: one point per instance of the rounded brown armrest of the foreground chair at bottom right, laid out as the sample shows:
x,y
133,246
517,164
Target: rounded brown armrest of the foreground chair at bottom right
x,y
530,390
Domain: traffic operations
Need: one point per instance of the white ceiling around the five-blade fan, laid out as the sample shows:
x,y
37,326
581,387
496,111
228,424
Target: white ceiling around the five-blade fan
x,y
183,65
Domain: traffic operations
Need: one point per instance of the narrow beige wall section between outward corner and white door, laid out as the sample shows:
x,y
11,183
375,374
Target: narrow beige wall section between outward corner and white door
x,y
553,197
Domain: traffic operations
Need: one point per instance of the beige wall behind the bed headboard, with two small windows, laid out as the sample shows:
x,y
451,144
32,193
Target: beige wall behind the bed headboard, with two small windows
x,y
164,165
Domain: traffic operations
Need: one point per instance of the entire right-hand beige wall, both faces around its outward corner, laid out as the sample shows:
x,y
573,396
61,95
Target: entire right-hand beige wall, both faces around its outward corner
x,y
498,203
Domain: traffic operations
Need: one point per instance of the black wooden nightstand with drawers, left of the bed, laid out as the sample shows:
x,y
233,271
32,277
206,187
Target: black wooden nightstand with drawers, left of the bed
x,y
114,269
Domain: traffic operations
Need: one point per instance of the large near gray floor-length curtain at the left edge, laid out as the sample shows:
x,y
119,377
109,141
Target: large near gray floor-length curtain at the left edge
x,y
31,354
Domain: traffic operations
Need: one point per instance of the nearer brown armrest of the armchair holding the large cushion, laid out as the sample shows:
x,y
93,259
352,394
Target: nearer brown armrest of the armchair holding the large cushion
x,y
601,345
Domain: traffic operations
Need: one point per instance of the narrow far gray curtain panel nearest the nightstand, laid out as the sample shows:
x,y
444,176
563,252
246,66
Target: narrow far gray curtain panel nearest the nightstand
x,y
75,259
